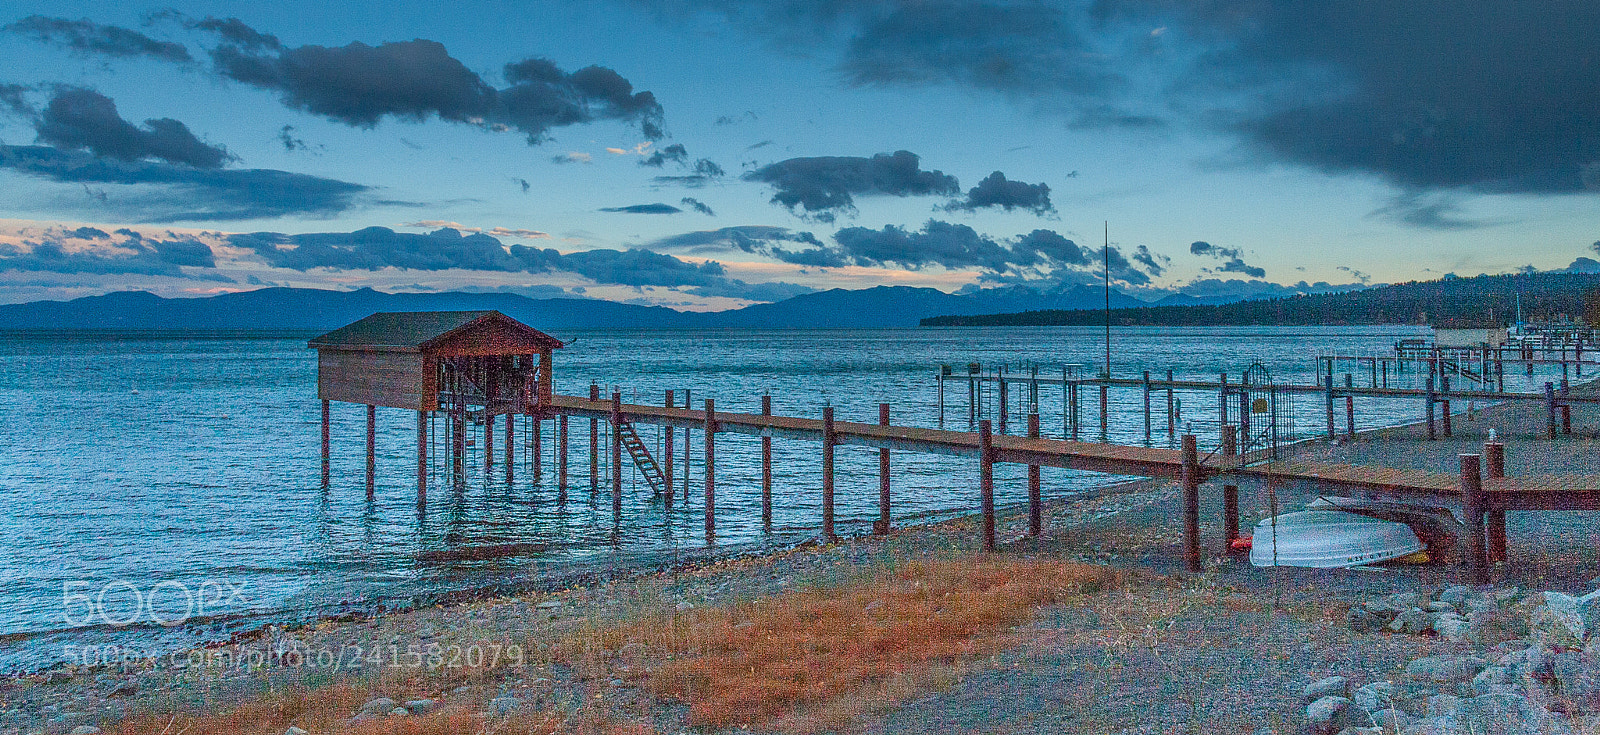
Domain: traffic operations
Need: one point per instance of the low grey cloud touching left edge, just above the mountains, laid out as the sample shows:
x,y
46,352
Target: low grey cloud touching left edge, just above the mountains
x,y
132,257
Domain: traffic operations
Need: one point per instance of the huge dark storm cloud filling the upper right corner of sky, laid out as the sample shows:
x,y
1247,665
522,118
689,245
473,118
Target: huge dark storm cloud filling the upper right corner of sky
x,y
1430,95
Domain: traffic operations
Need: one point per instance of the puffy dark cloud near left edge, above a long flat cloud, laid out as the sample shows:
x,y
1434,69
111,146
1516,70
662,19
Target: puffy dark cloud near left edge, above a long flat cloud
x,y
84,119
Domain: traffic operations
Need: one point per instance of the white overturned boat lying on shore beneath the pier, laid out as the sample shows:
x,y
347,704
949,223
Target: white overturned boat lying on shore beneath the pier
x,y
1327,539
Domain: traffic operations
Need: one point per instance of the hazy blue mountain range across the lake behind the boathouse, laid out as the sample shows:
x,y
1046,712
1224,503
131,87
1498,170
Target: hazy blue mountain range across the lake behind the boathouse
x,y
326,310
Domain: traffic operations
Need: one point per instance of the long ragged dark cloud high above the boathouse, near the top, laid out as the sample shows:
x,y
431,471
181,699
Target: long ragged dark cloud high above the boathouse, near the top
x,y
414,81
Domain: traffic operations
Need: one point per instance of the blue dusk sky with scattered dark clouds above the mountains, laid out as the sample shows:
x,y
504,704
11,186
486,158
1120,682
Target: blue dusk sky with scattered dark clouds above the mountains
x,y
710,155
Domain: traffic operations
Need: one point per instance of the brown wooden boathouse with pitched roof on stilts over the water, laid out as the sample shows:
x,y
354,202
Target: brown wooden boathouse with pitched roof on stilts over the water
x,y
463,363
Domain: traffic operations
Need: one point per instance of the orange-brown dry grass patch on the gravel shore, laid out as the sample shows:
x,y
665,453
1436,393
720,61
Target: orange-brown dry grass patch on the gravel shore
x,y
820,661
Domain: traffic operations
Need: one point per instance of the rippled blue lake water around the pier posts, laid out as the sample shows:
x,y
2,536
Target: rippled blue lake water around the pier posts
x,y
175,480
